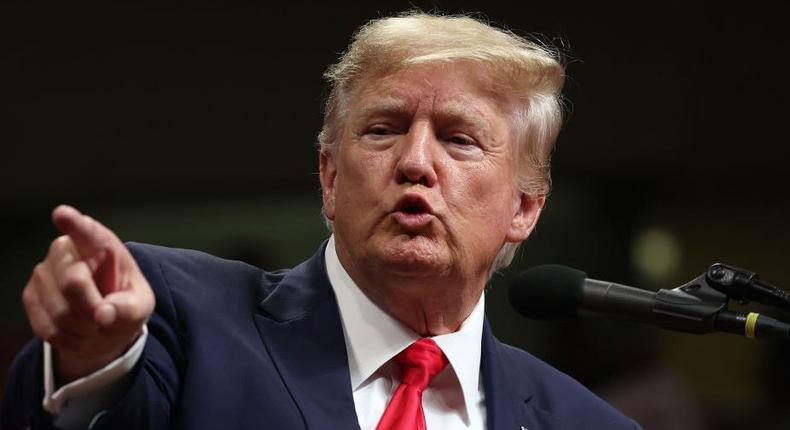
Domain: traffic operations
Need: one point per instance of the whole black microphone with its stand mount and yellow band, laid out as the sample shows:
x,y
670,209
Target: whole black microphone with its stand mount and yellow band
x,y
559,292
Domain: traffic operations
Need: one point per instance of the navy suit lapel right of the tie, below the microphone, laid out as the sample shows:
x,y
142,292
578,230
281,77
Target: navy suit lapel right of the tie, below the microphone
x,y
508,395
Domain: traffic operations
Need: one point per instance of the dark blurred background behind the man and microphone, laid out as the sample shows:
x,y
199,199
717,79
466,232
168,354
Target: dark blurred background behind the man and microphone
x,y
195,127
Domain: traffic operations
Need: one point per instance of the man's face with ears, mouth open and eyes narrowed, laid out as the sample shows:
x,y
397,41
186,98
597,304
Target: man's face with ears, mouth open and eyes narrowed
x,y
422,182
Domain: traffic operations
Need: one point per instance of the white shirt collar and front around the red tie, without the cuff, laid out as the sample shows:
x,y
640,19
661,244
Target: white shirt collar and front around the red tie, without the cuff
x,y
454,398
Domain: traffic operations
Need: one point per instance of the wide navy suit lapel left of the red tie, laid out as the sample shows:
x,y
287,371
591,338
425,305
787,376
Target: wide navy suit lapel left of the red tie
x,y
300,326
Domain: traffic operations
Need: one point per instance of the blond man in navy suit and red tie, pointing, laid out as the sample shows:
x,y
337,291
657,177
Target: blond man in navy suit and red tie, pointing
x,y
434,166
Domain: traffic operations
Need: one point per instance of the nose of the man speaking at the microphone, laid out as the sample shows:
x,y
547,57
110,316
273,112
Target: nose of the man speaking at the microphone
x,y
416,156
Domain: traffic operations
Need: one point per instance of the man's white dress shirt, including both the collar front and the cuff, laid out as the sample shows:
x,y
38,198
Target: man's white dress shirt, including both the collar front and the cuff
x,y
454,399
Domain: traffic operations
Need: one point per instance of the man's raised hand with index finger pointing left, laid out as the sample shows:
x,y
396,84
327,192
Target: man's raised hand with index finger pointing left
x,y
88,298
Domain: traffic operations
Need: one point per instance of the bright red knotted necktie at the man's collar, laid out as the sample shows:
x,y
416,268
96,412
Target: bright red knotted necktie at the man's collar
x,y
420,362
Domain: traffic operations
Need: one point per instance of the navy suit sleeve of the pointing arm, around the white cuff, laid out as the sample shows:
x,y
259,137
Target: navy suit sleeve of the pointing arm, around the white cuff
x,y
154,383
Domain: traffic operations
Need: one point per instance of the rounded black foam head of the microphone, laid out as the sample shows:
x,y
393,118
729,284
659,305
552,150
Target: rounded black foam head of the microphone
x,y
549,291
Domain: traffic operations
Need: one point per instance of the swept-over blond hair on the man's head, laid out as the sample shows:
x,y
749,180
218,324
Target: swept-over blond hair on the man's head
x,y
525,70
